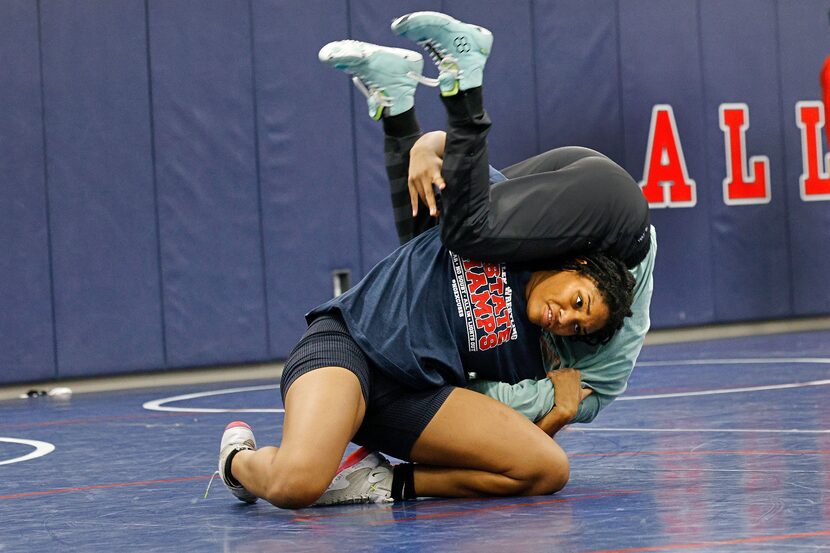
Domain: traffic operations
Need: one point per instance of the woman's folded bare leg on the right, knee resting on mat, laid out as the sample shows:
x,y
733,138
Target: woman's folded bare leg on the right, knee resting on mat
x,y
476,446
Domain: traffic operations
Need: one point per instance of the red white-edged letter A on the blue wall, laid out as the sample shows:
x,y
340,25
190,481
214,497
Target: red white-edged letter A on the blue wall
x,y
666,181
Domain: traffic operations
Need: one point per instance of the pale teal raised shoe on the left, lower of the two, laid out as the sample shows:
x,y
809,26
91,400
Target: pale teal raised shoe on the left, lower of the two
x,y
386,76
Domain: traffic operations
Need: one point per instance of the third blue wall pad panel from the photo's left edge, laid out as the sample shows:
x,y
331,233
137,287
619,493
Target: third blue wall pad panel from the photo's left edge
x,y
208,197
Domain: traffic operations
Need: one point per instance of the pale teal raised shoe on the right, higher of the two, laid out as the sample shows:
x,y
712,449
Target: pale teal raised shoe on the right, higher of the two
x,y
459,49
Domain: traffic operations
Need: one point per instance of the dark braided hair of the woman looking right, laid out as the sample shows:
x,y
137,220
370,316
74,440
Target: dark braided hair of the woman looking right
x,y
615,285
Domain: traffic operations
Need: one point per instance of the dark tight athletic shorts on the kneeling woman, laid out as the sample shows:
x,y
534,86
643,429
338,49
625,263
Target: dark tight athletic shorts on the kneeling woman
x,y
395,414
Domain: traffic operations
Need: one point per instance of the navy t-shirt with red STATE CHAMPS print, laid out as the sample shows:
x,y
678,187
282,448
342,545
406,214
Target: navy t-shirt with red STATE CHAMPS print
x,y
426,317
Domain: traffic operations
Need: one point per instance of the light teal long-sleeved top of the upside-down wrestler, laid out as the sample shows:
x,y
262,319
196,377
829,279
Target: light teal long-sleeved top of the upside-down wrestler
x,y
605,369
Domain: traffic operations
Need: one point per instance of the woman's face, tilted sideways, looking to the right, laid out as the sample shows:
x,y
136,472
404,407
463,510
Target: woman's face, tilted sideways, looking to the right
x,y
565,303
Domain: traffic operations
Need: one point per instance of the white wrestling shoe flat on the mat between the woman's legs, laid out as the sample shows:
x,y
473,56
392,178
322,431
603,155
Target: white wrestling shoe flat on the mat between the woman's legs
x,y
365,477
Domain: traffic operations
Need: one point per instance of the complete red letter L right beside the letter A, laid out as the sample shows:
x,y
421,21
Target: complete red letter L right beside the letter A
x,y
738,187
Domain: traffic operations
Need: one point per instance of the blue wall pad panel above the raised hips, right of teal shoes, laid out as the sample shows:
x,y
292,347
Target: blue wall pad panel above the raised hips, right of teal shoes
x,y
577,74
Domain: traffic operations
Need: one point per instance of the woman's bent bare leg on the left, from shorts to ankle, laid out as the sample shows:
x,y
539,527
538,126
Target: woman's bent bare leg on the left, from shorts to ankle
x,y
323,410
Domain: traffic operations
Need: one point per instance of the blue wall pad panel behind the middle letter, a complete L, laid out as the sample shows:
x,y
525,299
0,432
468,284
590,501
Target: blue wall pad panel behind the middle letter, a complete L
x,y
749,243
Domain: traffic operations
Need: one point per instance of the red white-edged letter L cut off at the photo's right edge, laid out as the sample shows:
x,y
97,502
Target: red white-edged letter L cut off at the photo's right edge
x,y
814,181
